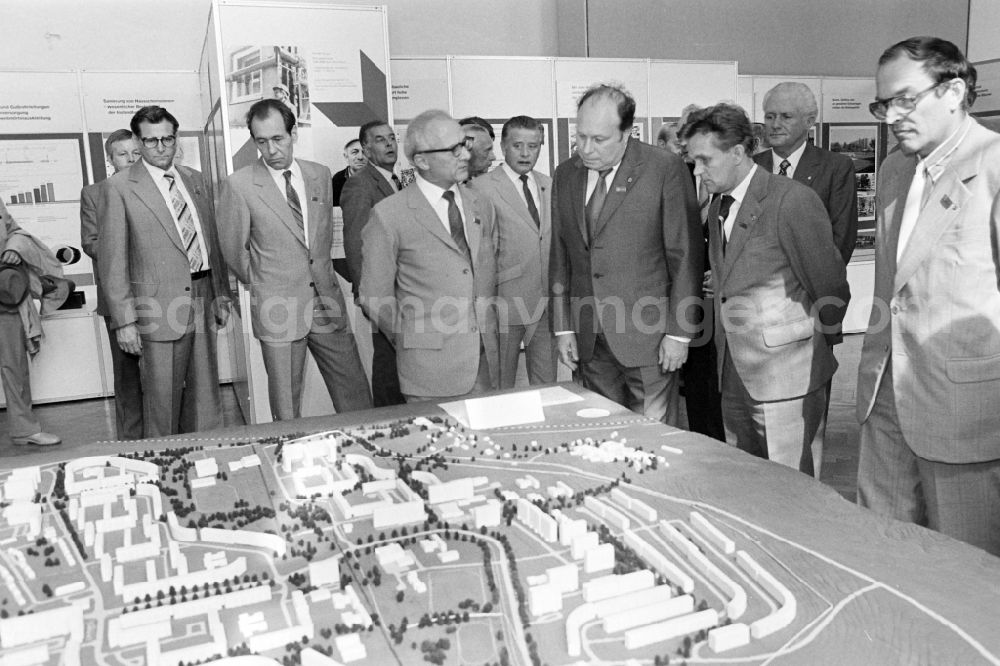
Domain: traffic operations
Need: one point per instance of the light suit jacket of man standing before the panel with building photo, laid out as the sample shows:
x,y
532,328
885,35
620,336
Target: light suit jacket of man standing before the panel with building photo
x,y
265,248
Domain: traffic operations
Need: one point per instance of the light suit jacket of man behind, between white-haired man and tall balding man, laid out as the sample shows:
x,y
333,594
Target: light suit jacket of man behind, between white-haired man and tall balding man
x,y
523,248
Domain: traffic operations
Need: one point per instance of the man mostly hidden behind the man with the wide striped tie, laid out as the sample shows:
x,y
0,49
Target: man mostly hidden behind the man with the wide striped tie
x,y
122,151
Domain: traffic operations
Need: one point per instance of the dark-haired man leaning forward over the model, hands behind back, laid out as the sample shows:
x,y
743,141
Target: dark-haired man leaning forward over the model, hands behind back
x,y
780,286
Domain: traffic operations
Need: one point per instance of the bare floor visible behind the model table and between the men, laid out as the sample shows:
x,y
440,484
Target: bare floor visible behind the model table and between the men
x,y
87,421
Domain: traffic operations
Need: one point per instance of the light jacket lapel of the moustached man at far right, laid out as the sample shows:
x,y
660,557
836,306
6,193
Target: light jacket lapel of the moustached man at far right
x,y
944,203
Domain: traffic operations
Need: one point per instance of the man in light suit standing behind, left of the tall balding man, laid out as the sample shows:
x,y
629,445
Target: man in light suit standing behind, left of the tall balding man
x,y
523,201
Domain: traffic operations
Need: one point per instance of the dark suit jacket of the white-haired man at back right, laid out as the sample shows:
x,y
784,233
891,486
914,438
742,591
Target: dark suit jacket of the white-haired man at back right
x,y
831,176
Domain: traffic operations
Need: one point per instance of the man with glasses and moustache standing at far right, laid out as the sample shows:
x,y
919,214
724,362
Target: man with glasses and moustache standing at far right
x,y
929,379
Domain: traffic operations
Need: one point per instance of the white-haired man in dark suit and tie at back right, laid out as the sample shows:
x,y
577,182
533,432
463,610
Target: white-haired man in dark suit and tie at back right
x,y
789,111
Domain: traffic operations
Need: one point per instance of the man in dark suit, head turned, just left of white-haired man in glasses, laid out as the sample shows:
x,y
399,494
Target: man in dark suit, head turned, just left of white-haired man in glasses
x,y
372,184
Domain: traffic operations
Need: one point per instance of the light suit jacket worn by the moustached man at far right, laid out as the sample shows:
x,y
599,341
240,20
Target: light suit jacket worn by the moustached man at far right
x,y
936,312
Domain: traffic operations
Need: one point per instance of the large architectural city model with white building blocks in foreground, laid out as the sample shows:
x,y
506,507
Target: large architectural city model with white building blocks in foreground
x,y
404,537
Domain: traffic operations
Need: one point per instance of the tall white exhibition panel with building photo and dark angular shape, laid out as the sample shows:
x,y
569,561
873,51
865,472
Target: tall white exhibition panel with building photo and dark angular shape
x,y
329,64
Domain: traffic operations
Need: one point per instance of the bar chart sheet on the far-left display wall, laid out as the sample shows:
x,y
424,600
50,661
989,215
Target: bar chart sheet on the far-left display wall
x,y
40,171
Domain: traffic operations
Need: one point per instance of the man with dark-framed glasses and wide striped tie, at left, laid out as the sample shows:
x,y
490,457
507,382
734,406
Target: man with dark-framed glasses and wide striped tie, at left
x,y
165,279
